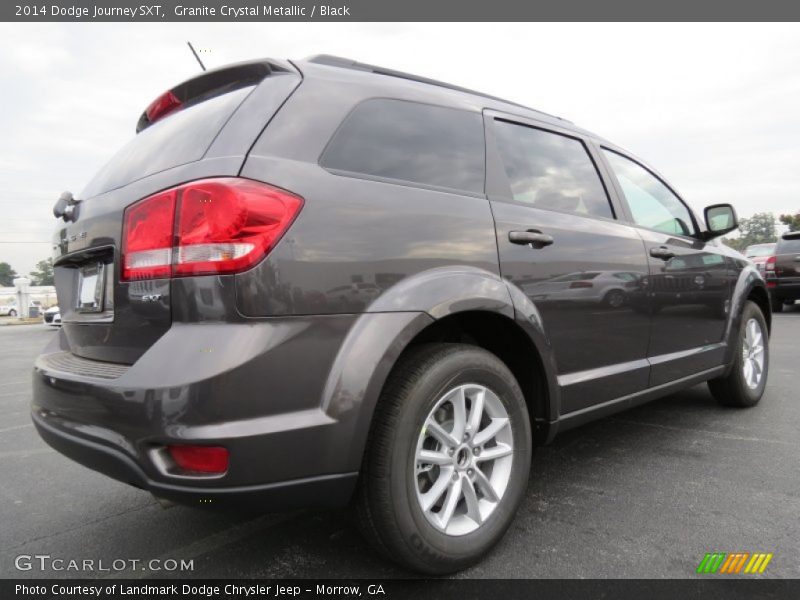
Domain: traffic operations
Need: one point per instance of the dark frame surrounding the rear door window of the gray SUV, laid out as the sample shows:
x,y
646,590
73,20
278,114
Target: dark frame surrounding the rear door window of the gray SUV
x,y
505,195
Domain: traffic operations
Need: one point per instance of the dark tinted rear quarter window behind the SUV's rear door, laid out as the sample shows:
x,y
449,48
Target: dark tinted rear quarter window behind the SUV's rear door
x,y
410,142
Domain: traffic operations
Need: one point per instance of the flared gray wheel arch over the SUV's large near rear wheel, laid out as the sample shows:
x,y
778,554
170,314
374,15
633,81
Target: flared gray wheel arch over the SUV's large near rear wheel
x,y
443,304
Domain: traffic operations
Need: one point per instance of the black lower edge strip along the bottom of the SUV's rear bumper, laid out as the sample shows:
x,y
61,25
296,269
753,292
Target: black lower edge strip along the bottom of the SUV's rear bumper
x,y
323,490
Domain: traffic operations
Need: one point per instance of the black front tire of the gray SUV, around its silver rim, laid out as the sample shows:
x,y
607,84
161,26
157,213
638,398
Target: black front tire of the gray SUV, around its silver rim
x,y
732,389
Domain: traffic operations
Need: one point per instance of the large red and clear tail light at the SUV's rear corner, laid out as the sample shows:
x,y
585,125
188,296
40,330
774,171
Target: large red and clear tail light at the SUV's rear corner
x,y
211,226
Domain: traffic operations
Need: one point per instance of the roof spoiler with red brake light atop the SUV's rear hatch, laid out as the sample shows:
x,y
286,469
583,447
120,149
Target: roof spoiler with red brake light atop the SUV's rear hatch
x,y
207,85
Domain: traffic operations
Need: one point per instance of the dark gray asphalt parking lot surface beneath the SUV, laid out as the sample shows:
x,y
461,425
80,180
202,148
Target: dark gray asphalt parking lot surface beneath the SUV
x,y
645,493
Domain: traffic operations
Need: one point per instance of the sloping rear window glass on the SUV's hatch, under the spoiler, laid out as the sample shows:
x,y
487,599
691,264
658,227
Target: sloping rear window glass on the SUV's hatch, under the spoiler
x,y
181,138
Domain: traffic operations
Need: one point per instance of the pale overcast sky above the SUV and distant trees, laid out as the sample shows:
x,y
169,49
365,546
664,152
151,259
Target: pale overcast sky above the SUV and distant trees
x,y
716,108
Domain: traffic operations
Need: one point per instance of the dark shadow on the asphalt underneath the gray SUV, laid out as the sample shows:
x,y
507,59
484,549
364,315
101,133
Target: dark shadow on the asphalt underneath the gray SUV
x,y
327,544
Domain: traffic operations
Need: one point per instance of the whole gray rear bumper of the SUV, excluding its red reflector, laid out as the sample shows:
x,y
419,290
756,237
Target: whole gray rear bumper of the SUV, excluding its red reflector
x,y
257,388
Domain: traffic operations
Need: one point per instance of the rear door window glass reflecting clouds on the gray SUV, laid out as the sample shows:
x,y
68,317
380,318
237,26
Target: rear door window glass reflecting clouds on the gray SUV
x,y
549,170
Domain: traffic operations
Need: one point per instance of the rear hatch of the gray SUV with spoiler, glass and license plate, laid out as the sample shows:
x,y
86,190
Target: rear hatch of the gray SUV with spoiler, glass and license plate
x,y
199,129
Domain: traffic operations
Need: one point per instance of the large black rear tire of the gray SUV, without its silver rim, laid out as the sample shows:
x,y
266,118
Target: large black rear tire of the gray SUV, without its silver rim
x,y
388,511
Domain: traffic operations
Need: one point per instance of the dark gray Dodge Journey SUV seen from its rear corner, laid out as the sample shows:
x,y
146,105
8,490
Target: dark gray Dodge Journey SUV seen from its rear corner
x,y
306,283
